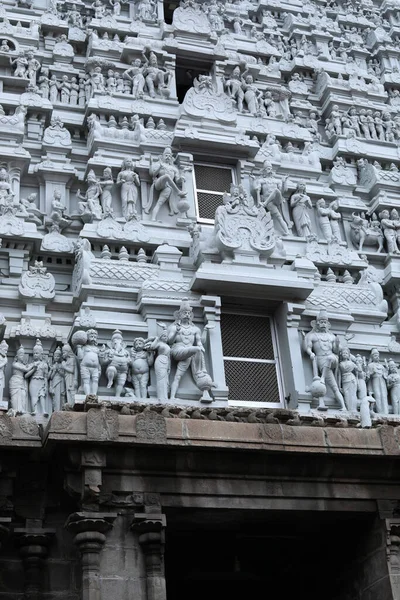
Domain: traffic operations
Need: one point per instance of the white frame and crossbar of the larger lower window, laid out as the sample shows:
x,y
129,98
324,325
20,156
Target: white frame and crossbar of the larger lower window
x,y
275,361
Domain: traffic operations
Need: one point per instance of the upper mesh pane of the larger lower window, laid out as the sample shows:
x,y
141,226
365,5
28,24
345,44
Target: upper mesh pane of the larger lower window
x,y
247,336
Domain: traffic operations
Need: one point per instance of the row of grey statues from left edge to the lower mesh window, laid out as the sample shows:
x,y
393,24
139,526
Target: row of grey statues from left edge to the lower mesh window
x,y
78,366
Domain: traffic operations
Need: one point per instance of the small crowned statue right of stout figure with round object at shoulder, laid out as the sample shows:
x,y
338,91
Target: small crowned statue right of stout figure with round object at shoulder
x,y
116,357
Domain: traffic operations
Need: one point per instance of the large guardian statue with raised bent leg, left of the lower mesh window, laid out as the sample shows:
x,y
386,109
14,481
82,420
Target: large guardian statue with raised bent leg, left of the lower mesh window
x,y
187,349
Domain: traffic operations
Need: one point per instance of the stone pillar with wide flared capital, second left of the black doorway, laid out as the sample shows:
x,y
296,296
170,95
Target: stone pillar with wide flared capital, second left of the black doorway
x,y
90,530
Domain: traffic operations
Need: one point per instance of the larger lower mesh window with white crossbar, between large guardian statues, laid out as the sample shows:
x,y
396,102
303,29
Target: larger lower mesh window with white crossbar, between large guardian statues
x,y
250,359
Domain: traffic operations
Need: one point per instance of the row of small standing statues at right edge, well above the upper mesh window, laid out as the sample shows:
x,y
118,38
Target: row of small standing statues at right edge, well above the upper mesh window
x,y
363,123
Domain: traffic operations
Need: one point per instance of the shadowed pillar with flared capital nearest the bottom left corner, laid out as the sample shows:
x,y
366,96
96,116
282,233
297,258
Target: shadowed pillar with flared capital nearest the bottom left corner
x,y
33,548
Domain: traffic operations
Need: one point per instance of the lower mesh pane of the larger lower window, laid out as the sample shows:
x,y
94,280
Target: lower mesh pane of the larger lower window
x,y
251,382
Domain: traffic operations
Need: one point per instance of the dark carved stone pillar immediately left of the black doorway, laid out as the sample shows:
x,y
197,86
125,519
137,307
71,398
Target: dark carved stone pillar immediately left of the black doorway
x,y
150,528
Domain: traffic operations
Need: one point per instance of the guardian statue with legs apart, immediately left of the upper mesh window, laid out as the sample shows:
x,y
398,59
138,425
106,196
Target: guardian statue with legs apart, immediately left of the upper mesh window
x,y
166,176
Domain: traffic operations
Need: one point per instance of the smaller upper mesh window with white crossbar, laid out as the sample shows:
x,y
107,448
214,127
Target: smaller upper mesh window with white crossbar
x,y
211,182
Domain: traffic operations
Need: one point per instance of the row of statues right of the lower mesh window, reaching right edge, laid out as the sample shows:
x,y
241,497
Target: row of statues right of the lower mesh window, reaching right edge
x,y
353,382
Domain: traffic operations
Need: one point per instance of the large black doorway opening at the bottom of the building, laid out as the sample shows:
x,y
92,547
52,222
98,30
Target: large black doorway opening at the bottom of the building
x,y
285,556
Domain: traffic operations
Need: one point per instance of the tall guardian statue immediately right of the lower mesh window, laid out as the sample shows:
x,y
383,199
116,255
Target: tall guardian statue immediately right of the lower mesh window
x,y
322,347
